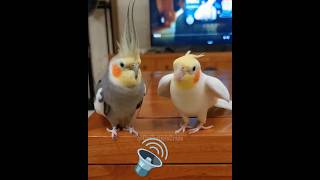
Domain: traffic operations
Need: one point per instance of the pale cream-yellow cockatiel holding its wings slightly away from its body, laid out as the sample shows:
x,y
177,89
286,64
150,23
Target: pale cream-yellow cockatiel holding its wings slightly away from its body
x,y
193,92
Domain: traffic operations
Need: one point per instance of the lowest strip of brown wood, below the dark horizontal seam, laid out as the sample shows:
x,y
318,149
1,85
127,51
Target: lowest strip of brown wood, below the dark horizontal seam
x,y
183,172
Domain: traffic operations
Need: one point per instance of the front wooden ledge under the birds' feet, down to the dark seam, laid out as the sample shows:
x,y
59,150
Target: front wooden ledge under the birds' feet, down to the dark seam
x,y
207,146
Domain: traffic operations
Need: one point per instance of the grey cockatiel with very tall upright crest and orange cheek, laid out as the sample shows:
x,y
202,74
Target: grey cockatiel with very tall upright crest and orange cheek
x,y
121,90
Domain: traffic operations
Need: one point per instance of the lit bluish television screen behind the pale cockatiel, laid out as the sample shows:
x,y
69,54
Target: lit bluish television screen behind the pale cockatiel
x,y
190,22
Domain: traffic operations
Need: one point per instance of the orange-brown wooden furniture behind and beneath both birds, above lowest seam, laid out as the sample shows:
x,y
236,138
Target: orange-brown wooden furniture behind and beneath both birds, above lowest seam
x,y
159,118
